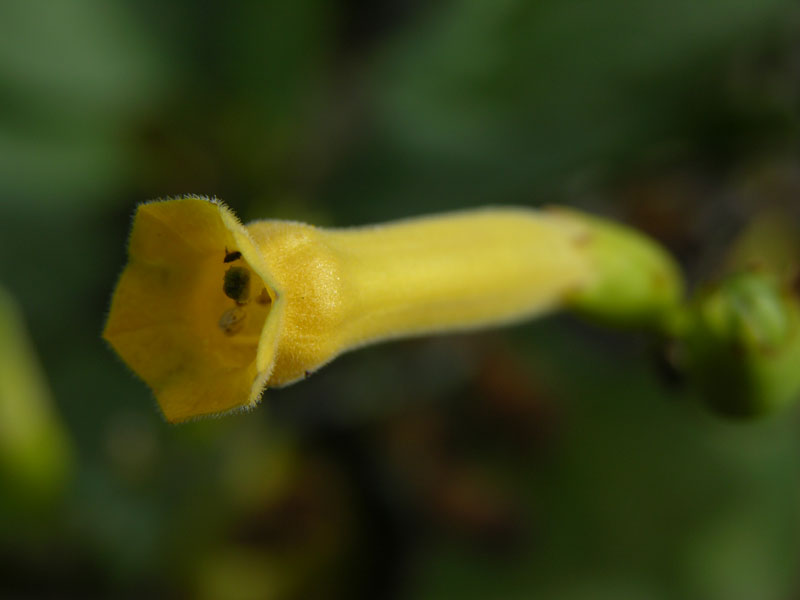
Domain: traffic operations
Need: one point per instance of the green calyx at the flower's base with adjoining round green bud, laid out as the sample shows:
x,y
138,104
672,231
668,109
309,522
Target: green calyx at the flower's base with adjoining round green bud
x,y
737,342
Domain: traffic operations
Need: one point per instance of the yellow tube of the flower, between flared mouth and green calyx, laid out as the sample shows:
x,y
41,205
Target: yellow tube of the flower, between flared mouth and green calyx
x,y
342,289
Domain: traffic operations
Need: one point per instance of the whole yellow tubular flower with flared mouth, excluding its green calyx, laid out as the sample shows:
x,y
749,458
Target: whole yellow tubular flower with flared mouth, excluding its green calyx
x,y
210,312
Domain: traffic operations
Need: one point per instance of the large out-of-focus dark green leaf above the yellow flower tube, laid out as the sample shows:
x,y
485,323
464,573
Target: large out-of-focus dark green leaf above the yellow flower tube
x,y
498,102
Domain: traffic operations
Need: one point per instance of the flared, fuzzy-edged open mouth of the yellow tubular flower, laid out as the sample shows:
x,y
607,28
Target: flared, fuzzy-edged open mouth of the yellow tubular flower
x,y
165,313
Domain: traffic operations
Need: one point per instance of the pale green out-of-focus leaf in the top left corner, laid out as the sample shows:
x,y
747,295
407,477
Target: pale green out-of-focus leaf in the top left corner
x,y
74,77
